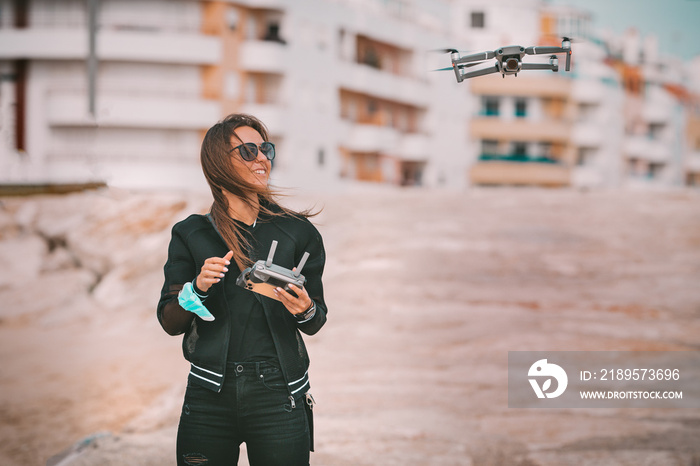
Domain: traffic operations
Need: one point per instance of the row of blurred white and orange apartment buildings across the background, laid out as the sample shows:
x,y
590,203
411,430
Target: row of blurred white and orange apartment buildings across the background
x,y
122,91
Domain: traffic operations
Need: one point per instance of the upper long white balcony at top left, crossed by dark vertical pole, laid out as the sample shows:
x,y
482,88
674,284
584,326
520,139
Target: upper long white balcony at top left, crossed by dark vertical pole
x,y
134,46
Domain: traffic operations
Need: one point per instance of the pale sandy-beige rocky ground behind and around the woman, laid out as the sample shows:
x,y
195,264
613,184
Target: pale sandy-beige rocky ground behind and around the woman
x,y
427,290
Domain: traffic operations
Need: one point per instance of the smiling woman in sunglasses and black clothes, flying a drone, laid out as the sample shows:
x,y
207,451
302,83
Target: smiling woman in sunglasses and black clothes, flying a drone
x,y
248,379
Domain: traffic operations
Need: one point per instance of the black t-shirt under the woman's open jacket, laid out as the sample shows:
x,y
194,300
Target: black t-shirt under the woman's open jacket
x,y
251,339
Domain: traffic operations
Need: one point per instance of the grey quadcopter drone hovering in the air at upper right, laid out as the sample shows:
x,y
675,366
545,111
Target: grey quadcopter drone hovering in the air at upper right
x,y
509,60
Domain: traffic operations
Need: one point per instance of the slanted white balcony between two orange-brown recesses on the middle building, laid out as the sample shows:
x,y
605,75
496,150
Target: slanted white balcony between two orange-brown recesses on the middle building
x,y
366,80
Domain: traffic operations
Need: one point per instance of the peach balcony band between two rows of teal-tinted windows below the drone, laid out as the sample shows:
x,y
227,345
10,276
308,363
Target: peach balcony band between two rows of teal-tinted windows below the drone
x,y
520,130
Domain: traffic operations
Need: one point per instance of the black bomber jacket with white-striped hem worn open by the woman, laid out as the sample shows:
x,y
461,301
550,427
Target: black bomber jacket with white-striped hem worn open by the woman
x,y
205,344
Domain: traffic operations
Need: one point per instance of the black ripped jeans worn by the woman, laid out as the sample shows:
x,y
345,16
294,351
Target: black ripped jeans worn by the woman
x,y
253,407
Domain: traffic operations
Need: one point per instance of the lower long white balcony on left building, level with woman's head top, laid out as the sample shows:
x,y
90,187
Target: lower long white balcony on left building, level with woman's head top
x,y
133,112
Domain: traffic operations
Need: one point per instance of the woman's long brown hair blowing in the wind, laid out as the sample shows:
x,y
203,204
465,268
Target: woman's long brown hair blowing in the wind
x,y
218,169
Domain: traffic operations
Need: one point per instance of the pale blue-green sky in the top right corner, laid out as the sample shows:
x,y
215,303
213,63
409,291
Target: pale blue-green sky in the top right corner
x,y
675,22
